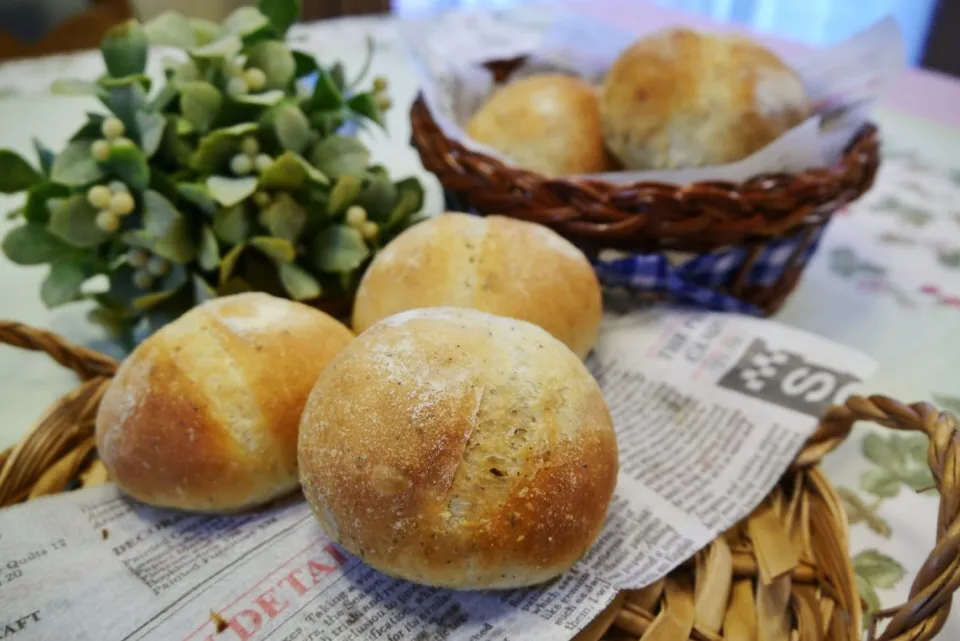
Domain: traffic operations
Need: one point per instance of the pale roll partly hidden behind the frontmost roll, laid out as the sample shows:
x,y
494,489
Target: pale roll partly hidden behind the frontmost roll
x,y
495,264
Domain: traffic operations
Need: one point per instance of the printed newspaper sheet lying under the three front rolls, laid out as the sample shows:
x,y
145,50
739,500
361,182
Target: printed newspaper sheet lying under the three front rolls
x,y
709,409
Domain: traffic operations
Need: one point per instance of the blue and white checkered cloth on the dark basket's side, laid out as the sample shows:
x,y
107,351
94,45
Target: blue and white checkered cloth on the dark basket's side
x,y
695,282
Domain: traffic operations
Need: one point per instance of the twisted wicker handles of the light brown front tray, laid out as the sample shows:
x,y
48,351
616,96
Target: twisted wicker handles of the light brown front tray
x,y
919,619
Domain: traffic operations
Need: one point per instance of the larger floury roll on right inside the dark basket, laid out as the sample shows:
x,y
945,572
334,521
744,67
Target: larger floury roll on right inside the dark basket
x,y
679,98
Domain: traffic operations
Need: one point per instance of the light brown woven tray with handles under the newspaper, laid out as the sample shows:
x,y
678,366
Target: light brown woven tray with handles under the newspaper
x,y
781,574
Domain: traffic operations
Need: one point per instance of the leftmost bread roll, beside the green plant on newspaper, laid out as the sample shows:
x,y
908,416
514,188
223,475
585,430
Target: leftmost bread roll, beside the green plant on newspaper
x,y
203,415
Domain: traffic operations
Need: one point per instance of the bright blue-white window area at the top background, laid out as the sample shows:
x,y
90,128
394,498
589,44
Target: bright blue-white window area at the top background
x,y
814,22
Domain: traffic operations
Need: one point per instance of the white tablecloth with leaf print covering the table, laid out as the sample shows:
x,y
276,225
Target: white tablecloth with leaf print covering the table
x,y
890,268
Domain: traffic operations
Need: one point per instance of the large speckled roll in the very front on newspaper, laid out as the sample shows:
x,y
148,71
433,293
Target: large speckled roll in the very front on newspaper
x,y
459,449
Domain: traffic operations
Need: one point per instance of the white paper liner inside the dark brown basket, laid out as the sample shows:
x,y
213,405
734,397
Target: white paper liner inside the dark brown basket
x,y
843,82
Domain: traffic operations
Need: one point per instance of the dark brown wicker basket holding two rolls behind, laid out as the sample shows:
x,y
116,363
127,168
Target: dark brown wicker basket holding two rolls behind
x,y
653,218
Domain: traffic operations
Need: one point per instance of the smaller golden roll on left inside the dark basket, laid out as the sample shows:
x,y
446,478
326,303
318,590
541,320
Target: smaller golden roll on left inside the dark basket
x,y
549,123
